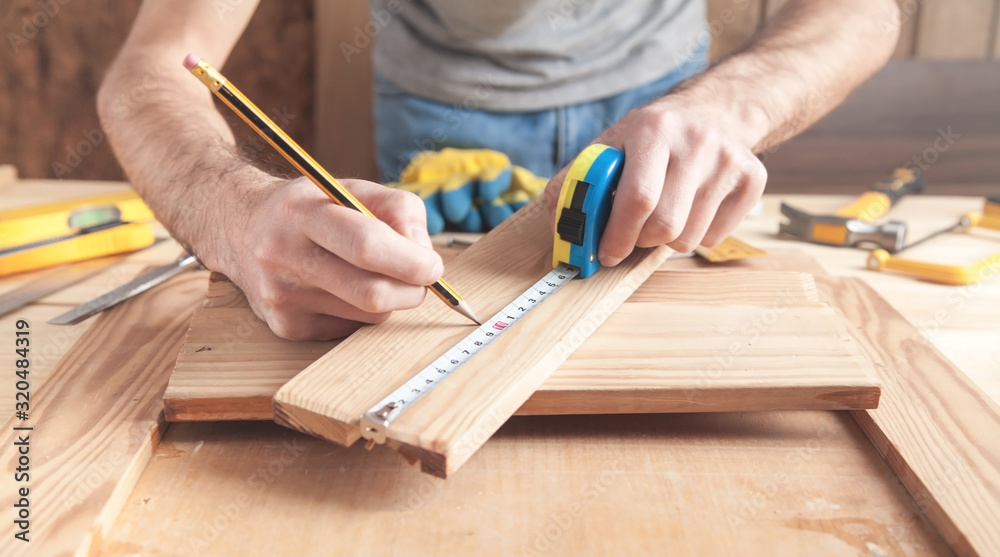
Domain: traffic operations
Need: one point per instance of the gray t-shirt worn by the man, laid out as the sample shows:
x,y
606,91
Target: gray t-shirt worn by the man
x,y
524,55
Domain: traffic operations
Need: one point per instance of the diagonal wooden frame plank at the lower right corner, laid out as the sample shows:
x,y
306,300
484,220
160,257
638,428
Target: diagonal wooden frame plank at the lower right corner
x,y
936,430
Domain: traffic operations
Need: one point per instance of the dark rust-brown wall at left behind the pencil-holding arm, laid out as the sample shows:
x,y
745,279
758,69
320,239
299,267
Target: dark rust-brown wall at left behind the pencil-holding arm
x,y
50,80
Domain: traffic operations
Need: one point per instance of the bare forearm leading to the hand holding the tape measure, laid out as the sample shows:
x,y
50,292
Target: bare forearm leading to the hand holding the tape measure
x,y
802,64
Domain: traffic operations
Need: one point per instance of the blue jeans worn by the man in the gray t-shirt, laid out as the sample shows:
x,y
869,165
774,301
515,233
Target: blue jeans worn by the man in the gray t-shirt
x,y
543,141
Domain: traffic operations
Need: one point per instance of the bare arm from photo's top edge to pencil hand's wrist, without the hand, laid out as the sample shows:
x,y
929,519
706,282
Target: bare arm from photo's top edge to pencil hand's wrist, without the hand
x,y
174,146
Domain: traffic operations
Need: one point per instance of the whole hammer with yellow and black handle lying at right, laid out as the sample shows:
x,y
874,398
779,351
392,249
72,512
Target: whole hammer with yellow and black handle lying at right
x,y
852,224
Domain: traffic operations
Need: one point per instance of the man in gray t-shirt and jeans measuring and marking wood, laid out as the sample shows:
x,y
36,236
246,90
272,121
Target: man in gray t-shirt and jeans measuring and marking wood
x,y
549,75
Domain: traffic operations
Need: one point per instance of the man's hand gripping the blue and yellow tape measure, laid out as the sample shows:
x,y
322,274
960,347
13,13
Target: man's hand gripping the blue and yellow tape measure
x,y
689,178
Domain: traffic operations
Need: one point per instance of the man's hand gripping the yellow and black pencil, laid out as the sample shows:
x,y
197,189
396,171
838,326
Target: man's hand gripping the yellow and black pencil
x,y
315,270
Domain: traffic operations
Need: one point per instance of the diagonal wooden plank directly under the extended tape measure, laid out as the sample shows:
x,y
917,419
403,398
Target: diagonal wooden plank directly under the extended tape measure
x,y
446,427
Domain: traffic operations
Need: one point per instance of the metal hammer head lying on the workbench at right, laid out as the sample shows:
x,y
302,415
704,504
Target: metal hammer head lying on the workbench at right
x,y
842,231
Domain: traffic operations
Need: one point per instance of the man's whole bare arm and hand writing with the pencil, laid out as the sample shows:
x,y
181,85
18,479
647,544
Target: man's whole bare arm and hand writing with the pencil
x,y
310,268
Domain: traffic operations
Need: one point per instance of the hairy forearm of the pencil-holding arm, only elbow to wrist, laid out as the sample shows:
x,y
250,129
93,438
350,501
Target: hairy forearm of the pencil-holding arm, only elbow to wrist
x,y
174,146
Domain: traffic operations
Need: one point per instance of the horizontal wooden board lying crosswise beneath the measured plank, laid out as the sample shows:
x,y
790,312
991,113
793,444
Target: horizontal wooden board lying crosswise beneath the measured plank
x,y
231,364
